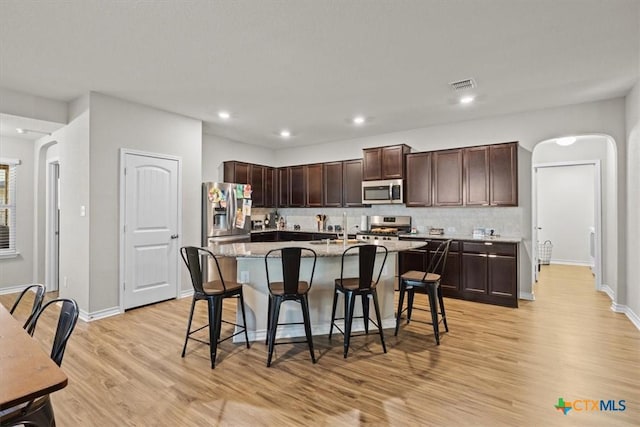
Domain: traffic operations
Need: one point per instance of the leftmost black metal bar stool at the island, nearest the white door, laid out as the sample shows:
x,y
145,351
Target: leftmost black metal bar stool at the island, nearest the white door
x,y
214,292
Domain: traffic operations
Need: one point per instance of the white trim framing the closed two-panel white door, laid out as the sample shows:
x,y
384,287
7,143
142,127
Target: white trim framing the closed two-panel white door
x,y
122,218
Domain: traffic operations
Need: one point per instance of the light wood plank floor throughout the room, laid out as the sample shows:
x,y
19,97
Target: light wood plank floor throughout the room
x,y
496,366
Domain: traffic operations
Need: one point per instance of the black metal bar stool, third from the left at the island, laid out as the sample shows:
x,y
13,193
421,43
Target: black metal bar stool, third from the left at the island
x,y
363,286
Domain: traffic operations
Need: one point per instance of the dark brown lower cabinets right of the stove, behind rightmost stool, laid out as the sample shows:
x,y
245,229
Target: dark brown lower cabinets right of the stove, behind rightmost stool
x,y
474,270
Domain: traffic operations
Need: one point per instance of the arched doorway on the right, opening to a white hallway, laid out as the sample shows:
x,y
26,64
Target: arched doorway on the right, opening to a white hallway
x,y
586,168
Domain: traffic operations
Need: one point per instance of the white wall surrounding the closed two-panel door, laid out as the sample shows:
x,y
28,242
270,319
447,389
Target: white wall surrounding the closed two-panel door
x,y
117,124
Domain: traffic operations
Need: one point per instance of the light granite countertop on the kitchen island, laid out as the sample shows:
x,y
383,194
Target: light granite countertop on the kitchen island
x,y
322,248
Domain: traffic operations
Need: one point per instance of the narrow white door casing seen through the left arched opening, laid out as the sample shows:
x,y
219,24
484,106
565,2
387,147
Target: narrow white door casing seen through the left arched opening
x,y
52,241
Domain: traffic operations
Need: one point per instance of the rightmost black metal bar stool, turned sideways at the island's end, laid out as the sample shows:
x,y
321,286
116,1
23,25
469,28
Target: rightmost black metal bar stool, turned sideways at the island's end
x,y
426,282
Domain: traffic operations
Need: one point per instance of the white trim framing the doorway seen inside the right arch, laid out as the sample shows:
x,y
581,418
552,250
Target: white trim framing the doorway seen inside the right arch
x,y
597,214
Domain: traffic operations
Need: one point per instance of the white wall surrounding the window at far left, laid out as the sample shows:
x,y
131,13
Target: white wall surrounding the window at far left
x,y
18,271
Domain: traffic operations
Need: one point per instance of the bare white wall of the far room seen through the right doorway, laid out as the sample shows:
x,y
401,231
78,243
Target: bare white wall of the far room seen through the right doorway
x,y
566,204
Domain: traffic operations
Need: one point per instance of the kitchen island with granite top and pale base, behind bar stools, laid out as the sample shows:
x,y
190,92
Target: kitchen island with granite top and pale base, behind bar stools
x,y
251,272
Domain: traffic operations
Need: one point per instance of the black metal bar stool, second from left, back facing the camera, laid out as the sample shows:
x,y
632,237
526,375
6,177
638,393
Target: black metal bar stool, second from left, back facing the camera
x,y
291,288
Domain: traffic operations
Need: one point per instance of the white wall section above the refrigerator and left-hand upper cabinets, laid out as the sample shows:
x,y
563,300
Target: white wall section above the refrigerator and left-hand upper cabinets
x,y
216,150
